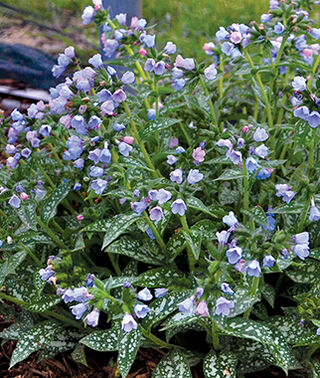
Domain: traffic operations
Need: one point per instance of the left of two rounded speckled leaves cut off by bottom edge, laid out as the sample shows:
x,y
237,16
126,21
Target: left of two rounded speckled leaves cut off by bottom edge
x,y
173,365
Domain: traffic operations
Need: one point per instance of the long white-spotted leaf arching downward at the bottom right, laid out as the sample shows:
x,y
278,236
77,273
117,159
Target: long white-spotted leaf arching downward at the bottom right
x,y
249,329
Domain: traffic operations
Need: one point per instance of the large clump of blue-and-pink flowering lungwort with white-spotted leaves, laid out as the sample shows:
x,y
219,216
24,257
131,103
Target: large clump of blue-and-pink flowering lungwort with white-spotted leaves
x,y
170,197
